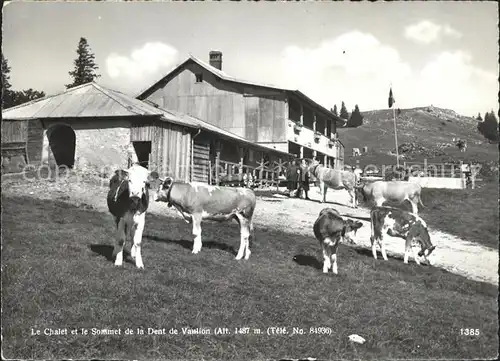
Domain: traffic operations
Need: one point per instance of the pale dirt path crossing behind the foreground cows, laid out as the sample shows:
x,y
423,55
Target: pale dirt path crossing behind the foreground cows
x,y
293,215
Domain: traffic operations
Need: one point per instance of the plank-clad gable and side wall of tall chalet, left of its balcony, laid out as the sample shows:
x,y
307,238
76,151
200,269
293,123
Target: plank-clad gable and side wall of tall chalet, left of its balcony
x,y
251,112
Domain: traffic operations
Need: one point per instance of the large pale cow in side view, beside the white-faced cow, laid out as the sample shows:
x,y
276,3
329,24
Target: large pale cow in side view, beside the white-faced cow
x,y
197,201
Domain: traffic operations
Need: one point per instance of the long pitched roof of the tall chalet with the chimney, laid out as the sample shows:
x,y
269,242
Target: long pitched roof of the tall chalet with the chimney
x,y
222,75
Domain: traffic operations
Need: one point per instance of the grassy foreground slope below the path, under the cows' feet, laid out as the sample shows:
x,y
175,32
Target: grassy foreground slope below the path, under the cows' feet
x,y
58,272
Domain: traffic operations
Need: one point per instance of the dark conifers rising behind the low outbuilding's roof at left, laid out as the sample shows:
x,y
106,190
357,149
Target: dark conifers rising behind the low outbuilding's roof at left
x,y
84,71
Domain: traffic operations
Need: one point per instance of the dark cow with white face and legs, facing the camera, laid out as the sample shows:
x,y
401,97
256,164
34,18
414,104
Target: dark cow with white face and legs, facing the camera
x,y
128,201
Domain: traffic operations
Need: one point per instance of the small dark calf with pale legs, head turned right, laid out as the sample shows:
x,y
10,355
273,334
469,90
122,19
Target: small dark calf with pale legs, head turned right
x,y
329,229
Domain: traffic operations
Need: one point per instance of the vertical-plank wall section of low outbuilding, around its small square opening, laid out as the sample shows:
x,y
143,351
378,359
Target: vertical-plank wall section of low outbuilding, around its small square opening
x,y
170,148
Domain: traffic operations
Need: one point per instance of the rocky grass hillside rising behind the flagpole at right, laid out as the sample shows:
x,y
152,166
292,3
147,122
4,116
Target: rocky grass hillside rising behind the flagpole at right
x,y
423,133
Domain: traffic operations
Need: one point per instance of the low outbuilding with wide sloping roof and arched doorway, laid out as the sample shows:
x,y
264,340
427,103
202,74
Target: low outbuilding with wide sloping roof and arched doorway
x,y
94,127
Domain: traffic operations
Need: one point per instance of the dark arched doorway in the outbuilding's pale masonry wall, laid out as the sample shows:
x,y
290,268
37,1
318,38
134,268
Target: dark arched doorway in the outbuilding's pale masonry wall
x,y
62,142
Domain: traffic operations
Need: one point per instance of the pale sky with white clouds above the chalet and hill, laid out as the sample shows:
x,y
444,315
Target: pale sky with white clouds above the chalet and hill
x,y
432,53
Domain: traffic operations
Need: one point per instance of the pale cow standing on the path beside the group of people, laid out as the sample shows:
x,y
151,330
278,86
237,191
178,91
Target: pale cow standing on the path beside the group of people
x,y
335,179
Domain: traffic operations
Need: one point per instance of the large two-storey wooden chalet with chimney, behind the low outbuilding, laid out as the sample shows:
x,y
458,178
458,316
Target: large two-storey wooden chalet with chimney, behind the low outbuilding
x,y
283,119
